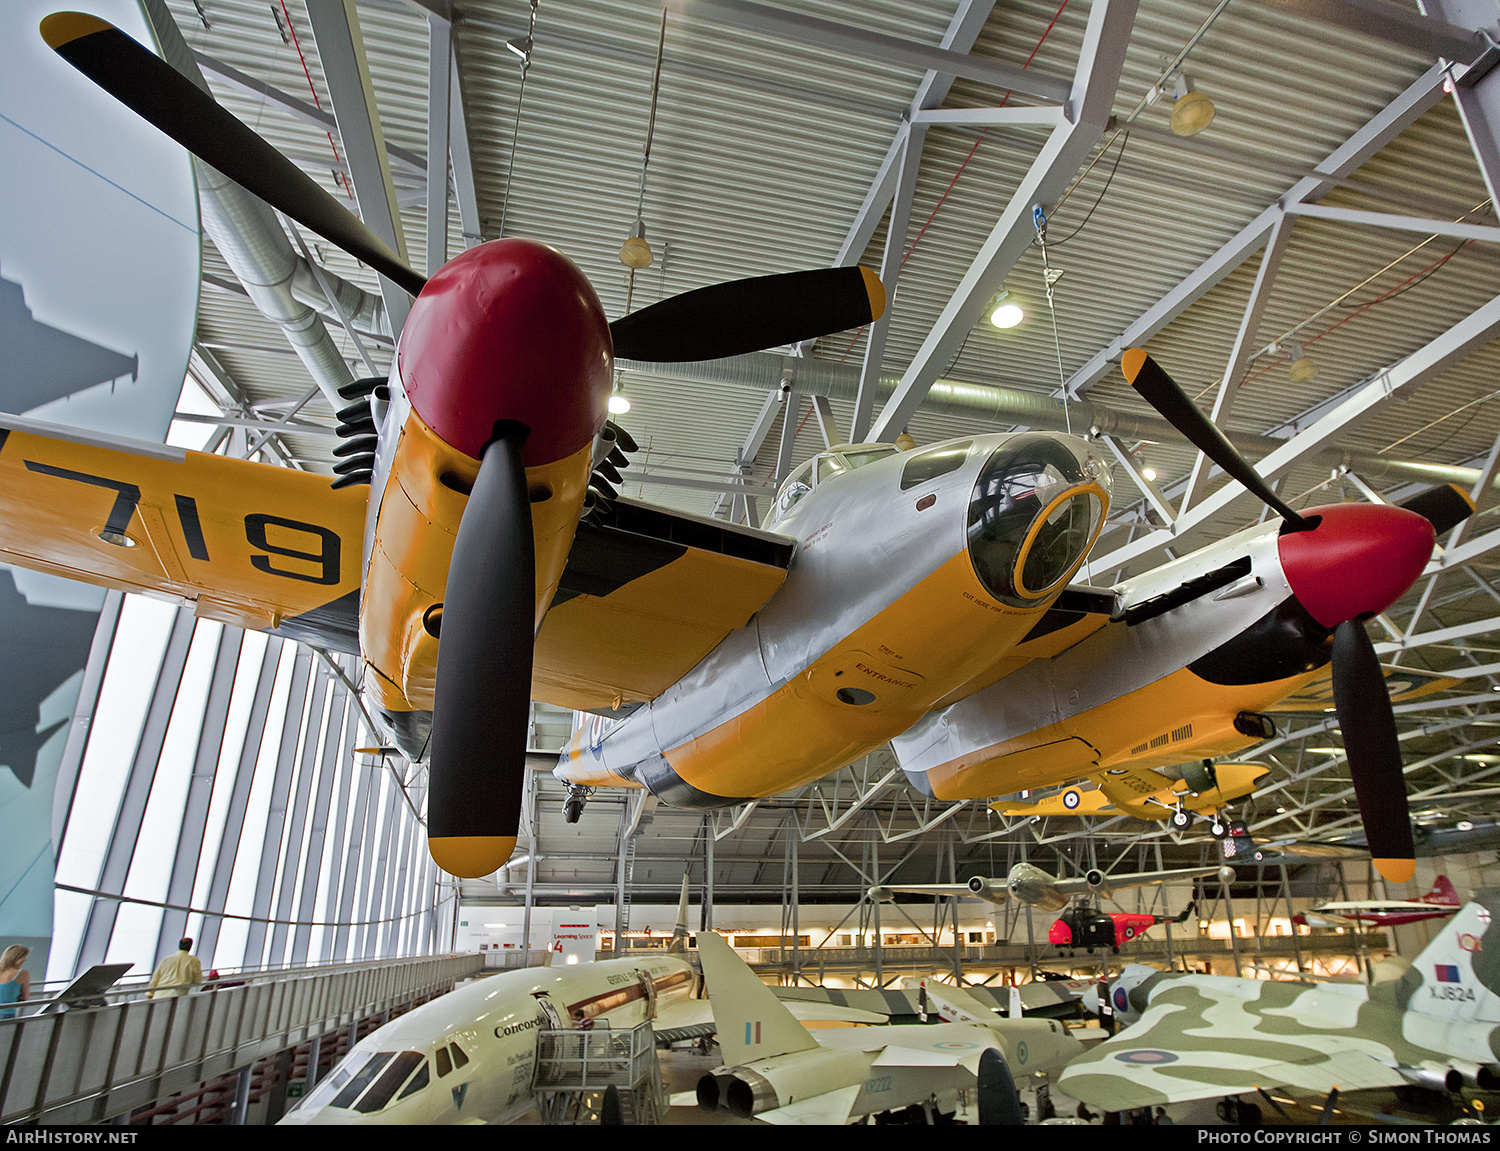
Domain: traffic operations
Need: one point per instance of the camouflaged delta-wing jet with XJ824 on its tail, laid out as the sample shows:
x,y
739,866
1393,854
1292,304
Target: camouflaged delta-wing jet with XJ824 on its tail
x,y
1193,1038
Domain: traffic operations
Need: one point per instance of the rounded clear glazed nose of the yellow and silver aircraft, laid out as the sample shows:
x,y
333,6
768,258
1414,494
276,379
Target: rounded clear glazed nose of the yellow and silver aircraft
x,y
1033,515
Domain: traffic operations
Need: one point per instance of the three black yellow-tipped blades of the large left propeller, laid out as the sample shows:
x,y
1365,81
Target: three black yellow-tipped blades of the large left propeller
x,y
488,616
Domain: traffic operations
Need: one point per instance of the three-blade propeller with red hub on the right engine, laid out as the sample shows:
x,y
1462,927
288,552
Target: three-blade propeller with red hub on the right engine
x,y
1360,690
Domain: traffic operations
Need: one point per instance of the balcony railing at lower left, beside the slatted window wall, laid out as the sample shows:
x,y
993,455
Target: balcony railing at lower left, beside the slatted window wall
x,y
89,1065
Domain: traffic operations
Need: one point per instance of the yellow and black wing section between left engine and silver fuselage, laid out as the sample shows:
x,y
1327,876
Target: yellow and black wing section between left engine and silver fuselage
x,y
646,595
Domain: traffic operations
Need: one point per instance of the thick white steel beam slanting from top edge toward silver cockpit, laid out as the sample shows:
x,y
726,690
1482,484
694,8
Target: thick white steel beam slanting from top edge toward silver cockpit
x,y
1097,79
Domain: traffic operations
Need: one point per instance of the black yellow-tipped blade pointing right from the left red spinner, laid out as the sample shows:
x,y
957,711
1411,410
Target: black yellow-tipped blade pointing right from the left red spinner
x,y
749,316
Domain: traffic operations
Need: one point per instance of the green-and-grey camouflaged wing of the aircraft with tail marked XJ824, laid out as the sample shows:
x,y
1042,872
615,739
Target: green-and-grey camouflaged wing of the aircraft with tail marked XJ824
x,y
1190,1045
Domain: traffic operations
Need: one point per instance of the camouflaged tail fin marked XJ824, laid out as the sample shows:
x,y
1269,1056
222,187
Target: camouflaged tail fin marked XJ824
x,y
1459,967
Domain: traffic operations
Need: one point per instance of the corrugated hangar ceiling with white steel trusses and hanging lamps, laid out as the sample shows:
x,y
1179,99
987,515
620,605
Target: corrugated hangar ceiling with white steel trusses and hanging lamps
x,y
778,145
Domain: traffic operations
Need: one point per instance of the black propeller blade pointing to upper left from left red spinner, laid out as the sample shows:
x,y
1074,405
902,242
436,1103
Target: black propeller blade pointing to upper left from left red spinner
x,y
166,98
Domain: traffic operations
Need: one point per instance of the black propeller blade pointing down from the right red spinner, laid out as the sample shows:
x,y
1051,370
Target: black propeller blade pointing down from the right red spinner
x,y
1375,757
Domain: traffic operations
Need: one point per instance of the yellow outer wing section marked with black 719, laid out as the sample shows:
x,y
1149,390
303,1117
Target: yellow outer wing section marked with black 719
x,y
251,545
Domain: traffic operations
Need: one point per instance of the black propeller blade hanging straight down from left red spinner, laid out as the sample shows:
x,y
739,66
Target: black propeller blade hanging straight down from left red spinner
x,y
484,685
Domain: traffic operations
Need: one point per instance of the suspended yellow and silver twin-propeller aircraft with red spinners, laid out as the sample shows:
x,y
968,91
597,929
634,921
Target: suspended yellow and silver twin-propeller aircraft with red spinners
x,y
895,600
